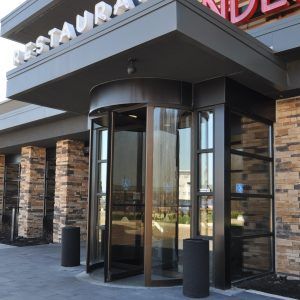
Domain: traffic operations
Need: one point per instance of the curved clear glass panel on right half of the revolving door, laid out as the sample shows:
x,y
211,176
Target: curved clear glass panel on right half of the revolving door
x,y
171,191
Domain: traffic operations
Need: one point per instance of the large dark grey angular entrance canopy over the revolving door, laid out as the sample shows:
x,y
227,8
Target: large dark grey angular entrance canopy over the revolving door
x,y
170,39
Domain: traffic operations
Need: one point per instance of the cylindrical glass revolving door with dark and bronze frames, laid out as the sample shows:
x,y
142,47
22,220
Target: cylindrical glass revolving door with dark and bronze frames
x,y
140,187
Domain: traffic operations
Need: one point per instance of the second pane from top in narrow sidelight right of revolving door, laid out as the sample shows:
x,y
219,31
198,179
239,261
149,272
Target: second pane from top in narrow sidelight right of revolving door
x,y
206,172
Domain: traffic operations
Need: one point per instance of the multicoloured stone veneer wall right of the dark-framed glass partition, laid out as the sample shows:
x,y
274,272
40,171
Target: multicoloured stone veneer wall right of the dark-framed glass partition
x,y
287,184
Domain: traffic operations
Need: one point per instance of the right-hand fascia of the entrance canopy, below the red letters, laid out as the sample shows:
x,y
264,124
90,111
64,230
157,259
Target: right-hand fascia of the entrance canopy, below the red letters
x,y
232,43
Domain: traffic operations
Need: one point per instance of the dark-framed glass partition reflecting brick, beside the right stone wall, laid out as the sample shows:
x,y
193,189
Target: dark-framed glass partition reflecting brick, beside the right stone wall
x,y
251,197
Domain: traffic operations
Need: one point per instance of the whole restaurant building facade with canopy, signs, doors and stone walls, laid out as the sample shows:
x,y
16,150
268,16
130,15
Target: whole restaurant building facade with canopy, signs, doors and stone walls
x,y
149,122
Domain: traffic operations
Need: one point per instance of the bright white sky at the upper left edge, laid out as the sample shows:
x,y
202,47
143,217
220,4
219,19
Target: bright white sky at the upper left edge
x,y
7,47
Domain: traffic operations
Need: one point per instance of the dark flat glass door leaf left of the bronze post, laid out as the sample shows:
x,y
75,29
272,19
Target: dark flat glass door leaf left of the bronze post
x,y
127,204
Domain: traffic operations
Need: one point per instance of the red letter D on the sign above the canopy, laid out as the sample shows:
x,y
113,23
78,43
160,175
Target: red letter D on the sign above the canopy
x,y
235,18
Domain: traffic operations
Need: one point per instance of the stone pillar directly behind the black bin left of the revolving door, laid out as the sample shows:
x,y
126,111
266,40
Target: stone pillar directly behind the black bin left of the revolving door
x,y
71,190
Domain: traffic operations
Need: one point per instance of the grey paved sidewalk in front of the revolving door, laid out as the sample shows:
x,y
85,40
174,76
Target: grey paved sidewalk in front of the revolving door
x,y
34,273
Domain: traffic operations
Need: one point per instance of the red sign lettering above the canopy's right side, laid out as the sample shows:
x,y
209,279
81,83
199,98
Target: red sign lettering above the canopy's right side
x,y
229,9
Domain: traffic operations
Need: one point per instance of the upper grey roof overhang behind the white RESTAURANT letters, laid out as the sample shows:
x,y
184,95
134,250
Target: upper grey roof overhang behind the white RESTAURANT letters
x,y
36,17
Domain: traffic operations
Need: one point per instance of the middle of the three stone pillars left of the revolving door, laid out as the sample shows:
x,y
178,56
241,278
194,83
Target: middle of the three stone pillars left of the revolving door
x,y
30,222
